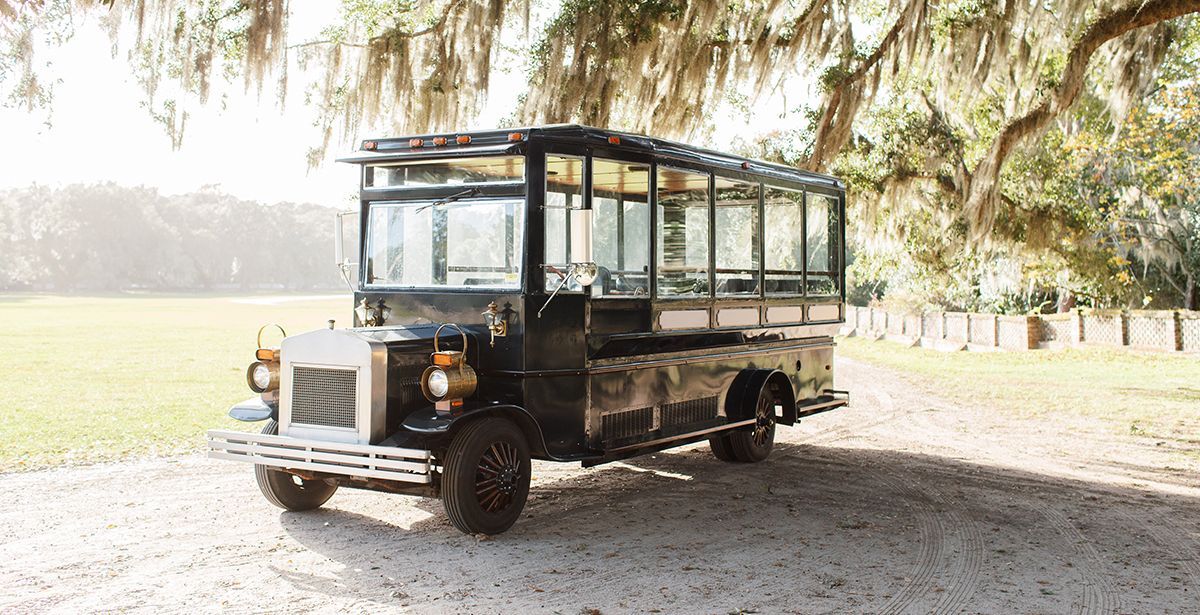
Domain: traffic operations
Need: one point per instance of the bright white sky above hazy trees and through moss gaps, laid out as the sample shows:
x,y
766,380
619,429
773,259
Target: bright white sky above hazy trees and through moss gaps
x,y
100,133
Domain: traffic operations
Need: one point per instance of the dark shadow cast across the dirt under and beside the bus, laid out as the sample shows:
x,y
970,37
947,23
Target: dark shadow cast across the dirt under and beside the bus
x,y
814,529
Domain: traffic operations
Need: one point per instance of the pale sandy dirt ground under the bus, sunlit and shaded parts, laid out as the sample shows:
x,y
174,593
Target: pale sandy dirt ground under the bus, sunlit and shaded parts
x,y
901,504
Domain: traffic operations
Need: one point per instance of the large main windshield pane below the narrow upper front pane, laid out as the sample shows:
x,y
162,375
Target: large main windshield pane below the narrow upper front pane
x,y
461,244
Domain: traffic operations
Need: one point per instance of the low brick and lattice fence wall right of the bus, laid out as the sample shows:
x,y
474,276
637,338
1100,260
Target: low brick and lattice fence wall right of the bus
x,y
1143,330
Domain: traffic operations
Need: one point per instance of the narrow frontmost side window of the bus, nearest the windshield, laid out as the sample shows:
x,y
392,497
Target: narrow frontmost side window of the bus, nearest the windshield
x,y
565,192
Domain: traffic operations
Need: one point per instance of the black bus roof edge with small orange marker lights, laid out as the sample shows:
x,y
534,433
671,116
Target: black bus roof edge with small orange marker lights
x,y
502,141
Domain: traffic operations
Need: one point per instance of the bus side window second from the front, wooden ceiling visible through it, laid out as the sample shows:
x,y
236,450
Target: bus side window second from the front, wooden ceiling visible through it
x,y
621,223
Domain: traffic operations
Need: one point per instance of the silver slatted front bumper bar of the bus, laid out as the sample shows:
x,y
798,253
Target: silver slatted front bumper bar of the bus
x,y
409,465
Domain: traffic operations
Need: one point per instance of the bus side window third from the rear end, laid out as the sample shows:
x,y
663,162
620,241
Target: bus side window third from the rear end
x,y
737,238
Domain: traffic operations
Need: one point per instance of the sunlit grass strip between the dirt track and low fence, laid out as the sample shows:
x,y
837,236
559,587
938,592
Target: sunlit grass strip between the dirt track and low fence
x,y
1153,395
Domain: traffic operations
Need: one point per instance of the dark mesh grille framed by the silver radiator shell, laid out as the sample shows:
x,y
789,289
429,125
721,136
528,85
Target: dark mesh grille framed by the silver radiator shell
x,y
325,397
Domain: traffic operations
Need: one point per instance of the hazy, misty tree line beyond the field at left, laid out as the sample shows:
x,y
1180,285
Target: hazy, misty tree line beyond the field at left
x,y
110,238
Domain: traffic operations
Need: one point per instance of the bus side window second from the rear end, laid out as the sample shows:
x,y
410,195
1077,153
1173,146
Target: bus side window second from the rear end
x,y
784,256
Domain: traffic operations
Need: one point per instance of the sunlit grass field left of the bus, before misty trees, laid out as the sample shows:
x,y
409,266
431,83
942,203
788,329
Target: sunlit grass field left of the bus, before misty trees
x,y
92,379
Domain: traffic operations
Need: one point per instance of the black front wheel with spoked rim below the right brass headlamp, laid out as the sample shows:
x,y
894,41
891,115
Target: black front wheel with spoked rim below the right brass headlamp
x,y
487,476
